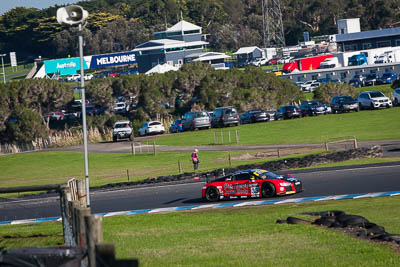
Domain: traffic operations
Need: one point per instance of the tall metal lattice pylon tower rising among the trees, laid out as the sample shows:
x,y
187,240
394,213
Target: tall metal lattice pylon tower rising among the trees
x,y
272,24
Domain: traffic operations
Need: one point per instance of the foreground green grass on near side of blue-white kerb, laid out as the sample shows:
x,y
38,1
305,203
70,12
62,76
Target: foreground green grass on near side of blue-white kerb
x,y
234,236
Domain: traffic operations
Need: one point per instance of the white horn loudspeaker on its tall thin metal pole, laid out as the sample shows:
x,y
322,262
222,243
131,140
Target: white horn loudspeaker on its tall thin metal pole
x,y
76,15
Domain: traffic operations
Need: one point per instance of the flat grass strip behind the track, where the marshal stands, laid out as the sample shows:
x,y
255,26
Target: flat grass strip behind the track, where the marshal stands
x,y
58,167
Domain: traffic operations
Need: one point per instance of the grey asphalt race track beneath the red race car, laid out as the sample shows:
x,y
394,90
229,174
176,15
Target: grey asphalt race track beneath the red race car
x,y
317,182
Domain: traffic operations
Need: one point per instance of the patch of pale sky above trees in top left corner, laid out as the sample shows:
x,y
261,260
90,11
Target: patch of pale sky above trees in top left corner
x,y
6,5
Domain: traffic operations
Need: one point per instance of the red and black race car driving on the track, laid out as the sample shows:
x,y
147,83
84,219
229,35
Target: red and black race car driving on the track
x,y
251,183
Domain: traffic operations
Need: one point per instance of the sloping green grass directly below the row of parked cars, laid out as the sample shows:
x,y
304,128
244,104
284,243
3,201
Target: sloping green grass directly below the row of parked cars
x,y
365,126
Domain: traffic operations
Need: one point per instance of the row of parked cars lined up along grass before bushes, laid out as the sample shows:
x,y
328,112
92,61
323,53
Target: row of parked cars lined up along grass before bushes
x,y
227,116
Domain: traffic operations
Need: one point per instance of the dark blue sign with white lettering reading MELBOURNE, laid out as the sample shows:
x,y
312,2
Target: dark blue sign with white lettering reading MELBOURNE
x,y
108,60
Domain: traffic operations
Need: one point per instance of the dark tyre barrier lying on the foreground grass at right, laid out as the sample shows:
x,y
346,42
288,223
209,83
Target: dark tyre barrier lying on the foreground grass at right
x,y
355,225
